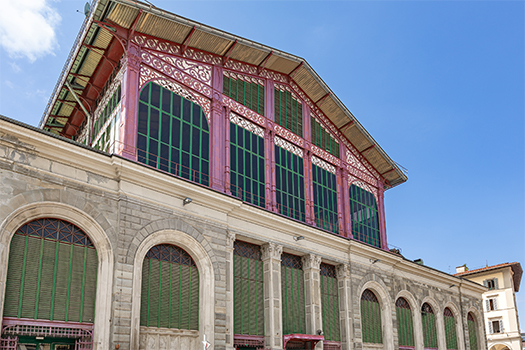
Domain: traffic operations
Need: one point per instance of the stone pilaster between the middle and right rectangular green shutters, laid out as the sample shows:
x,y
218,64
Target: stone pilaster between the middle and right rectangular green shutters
x,y
312,286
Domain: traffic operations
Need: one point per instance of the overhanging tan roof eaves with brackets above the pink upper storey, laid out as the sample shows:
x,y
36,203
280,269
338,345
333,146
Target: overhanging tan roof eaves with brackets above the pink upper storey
x,y
147,19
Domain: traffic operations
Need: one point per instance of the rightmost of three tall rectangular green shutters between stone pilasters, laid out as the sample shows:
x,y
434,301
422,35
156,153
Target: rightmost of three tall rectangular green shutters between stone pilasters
x,y
330,303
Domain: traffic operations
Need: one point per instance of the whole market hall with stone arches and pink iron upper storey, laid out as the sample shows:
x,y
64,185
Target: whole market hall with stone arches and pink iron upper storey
x,y
218,191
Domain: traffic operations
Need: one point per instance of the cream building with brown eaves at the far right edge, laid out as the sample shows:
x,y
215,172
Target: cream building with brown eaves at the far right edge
x,y
501,312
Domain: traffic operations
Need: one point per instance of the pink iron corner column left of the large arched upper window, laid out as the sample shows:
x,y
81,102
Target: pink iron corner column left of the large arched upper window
x,y
130,98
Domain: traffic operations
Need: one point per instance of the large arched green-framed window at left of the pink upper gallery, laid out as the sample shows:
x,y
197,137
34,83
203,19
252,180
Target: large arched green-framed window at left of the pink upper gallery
x,y
173,134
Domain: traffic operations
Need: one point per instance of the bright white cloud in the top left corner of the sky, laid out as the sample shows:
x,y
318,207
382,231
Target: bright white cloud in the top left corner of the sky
x,y
27,28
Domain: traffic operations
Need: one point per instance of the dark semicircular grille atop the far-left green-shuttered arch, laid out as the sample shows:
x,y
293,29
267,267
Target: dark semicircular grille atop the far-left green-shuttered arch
x,y
56,230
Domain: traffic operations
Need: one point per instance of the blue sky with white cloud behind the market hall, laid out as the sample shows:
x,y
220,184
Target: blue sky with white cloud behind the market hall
x,y
438,84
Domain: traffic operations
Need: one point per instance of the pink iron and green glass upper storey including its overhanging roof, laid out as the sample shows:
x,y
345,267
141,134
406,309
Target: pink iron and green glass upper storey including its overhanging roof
x,y
258,132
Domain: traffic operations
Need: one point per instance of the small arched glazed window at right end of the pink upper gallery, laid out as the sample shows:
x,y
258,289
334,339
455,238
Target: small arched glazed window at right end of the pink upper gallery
x,y
365,216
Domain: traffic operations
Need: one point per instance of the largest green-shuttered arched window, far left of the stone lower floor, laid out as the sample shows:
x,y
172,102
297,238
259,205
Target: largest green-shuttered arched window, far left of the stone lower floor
x,y
52,273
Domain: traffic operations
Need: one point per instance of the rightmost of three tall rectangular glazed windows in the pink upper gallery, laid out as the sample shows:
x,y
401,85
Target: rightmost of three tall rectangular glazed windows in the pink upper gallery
x,y
324,184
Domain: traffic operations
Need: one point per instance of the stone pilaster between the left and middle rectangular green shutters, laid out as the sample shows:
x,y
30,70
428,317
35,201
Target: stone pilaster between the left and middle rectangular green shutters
x,y
271,257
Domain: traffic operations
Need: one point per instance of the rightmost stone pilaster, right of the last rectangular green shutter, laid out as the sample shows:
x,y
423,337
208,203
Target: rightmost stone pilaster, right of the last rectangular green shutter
x,y
345,305
